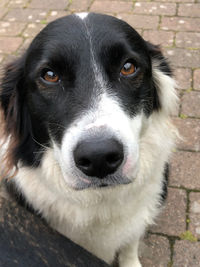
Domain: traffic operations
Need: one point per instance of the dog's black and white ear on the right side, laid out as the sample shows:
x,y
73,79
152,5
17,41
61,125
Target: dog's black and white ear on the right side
x,y
165,96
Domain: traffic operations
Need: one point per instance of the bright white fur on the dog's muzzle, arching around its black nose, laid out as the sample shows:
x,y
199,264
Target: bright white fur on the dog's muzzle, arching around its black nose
x,y
105,114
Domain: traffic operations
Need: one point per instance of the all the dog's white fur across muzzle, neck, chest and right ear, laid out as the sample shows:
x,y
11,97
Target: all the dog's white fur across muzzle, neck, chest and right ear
x,y
107,220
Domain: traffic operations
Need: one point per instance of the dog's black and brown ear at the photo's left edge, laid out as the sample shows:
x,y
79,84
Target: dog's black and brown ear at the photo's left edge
x,y
15,121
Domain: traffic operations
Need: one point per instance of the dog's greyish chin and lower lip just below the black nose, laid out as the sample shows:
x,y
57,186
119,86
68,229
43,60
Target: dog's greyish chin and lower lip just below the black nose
x,y
96,183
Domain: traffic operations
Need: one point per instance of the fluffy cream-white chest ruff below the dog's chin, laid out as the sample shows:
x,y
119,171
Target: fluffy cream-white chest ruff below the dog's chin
x,y
101,221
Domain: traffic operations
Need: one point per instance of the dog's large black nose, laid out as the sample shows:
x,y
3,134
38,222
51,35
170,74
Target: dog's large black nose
x,y
98,156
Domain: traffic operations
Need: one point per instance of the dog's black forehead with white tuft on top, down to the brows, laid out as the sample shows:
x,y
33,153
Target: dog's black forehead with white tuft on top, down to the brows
x,y
79,40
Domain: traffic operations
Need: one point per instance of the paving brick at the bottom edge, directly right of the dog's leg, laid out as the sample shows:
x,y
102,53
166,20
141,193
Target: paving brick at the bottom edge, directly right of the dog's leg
x,y
151,247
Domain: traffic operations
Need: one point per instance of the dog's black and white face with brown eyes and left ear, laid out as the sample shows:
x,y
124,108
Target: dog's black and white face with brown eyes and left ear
x,y
83,88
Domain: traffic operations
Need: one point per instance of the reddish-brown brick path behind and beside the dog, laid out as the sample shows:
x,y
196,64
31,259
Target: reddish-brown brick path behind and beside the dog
x,y
175,24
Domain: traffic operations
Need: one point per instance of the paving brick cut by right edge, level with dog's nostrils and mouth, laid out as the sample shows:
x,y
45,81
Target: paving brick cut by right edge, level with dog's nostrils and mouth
x,y
185,170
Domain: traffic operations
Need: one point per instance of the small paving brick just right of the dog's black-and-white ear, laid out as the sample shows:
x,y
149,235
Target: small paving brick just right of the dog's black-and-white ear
x,y
183,77
